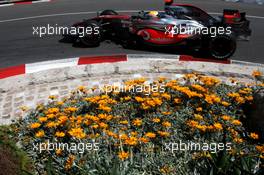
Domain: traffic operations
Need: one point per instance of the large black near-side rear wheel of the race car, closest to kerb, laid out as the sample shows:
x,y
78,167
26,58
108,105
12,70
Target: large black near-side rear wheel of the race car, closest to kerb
x,y
222,46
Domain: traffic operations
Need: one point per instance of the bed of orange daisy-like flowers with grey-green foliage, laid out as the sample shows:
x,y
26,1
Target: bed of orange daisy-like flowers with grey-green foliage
x,y
145,128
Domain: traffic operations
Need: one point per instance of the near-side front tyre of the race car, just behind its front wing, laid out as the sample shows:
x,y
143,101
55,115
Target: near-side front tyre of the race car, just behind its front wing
x,y
92,39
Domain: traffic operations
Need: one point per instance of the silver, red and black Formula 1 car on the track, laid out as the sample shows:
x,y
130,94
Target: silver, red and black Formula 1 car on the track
x,y
179,26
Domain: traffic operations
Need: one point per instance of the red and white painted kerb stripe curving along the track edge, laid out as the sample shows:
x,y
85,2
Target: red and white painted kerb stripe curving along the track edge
x,y
46,65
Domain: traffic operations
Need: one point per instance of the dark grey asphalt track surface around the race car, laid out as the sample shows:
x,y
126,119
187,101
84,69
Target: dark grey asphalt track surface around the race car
x,y
18,45
